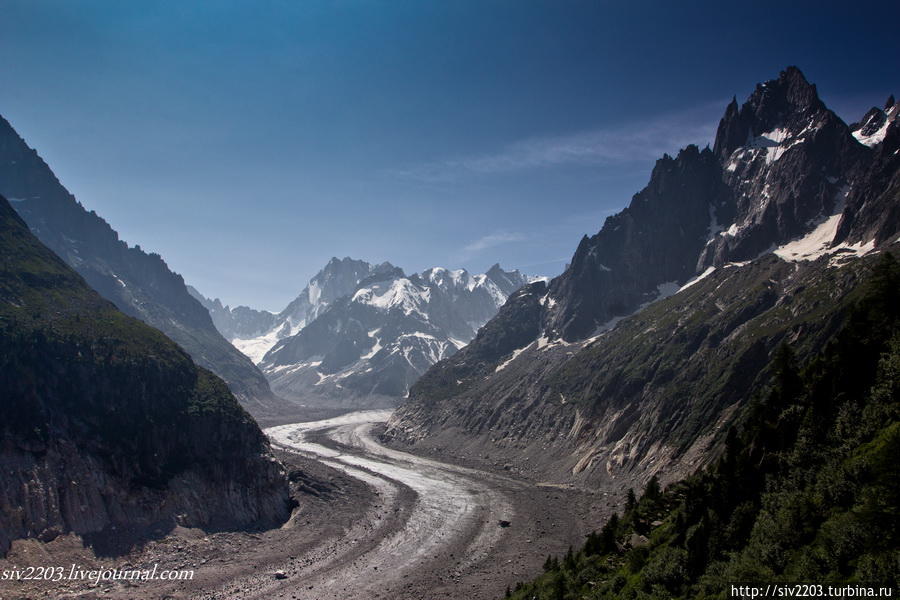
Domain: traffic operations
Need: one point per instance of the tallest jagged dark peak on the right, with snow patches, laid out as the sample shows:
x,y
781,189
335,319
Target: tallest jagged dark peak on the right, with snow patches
x,y
790,163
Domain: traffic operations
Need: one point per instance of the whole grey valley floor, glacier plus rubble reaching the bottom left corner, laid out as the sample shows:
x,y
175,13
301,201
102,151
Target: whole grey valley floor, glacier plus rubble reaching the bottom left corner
x,y
373,522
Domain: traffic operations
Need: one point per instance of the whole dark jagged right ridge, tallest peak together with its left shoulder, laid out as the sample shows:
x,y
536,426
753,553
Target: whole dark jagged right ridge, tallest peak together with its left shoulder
x,y
781,164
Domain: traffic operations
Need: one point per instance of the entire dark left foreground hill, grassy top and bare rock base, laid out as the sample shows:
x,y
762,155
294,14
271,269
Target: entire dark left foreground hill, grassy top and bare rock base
x,y
107,423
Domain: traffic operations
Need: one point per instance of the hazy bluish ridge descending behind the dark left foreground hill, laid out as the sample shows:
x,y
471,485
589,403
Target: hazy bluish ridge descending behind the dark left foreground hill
x,y
139,284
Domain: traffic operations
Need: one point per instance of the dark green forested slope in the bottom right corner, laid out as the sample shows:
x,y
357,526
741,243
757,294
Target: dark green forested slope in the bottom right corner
x,y
807,489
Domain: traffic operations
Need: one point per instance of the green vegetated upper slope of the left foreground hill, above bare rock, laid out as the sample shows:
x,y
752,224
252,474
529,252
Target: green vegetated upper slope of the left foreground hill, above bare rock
x,y
47,312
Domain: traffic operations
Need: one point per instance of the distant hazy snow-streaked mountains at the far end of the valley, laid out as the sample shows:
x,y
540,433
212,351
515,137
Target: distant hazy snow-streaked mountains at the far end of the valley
x,y
360,334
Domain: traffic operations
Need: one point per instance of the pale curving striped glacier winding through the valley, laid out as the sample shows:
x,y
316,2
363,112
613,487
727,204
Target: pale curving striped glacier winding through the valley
x,y
432,517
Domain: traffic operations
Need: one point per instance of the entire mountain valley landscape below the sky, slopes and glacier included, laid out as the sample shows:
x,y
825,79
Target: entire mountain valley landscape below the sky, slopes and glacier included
x,y
707,394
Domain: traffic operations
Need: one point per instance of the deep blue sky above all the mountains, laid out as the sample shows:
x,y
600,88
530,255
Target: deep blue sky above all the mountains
x,y
248,142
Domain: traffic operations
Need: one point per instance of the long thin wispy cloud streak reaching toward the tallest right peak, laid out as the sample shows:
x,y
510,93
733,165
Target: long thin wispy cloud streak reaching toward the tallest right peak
x,y
639,140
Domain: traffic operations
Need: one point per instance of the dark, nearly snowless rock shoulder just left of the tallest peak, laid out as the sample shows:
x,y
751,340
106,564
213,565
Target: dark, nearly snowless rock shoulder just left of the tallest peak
x,y
654,242
